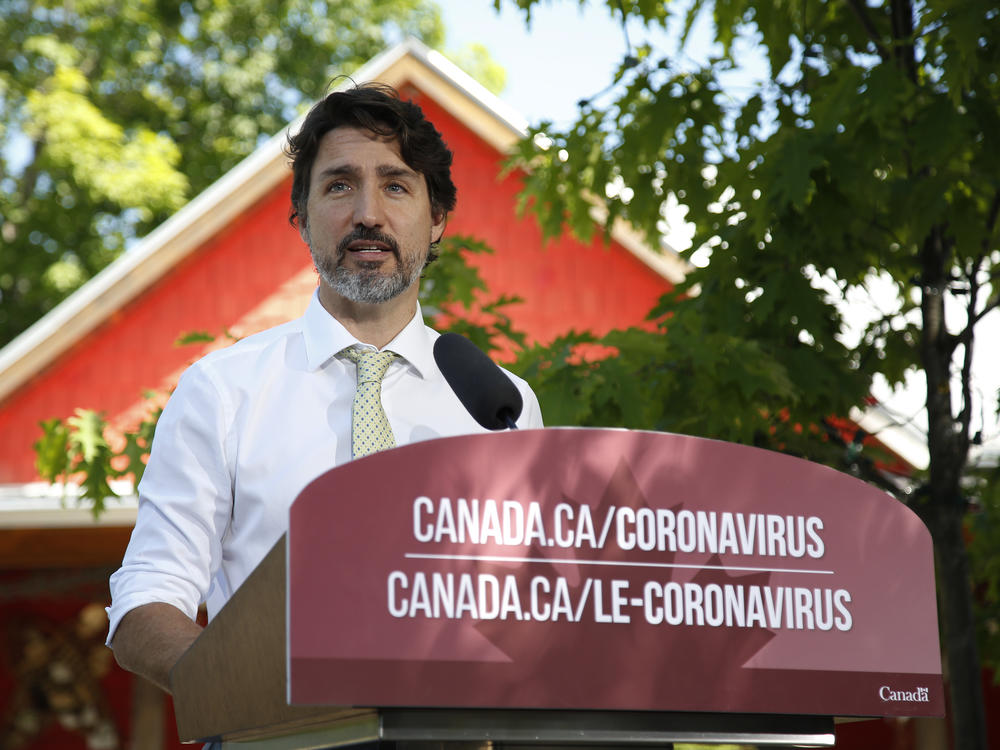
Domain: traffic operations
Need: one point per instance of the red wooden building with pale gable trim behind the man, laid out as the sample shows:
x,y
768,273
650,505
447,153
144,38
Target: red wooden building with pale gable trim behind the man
x,y
230,261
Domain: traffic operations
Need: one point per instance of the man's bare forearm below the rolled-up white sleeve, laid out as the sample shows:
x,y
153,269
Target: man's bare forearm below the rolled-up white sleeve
x,y
151,638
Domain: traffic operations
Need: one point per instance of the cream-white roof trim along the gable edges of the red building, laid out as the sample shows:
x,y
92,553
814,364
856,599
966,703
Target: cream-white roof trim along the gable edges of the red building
x,y
236,191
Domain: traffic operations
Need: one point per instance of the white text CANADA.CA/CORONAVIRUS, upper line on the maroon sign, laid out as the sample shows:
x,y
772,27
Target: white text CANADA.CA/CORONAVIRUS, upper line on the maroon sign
x,y
565,525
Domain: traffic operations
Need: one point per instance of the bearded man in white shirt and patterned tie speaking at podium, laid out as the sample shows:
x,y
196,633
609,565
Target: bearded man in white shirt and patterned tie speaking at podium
x,y
251,425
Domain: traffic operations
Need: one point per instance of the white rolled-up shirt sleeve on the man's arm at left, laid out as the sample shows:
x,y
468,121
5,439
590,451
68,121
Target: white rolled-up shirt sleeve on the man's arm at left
x,y
185,504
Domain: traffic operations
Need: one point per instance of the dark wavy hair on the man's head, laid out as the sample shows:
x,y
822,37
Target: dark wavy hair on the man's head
x,y
377,108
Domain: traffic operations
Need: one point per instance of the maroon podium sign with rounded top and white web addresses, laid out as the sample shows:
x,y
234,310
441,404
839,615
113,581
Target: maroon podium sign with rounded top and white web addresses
x,y
609,569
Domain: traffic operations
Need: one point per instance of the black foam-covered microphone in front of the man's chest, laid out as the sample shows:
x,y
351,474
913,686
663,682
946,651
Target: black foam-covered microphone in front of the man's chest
x,y
482,387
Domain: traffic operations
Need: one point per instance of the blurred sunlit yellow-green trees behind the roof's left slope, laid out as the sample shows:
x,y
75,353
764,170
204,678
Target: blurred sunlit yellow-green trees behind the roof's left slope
x,y
114,114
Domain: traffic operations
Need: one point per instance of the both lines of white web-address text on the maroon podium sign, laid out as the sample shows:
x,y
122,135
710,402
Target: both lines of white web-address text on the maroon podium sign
x,y
500,532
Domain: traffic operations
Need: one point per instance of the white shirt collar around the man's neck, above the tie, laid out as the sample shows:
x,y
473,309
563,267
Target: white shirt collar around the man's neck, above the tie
x,y
325,336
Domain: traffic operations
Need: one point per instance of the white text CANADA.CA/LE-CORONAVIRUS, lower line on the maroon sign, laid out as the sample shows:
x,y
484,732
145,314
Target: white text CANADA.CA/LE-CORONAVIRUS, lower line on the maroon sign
x,y
484,596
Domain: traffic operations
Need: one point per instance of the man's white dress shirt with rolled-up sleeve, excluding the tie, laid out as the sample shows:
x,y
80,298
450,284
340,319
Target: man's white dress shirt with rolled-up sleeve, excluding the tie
x,y
247,428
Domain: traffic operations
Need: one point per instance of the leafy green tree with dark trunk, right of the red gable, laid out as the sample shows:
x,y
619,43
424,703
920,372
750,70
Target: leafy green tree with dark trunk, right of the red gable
x,y
869,157
